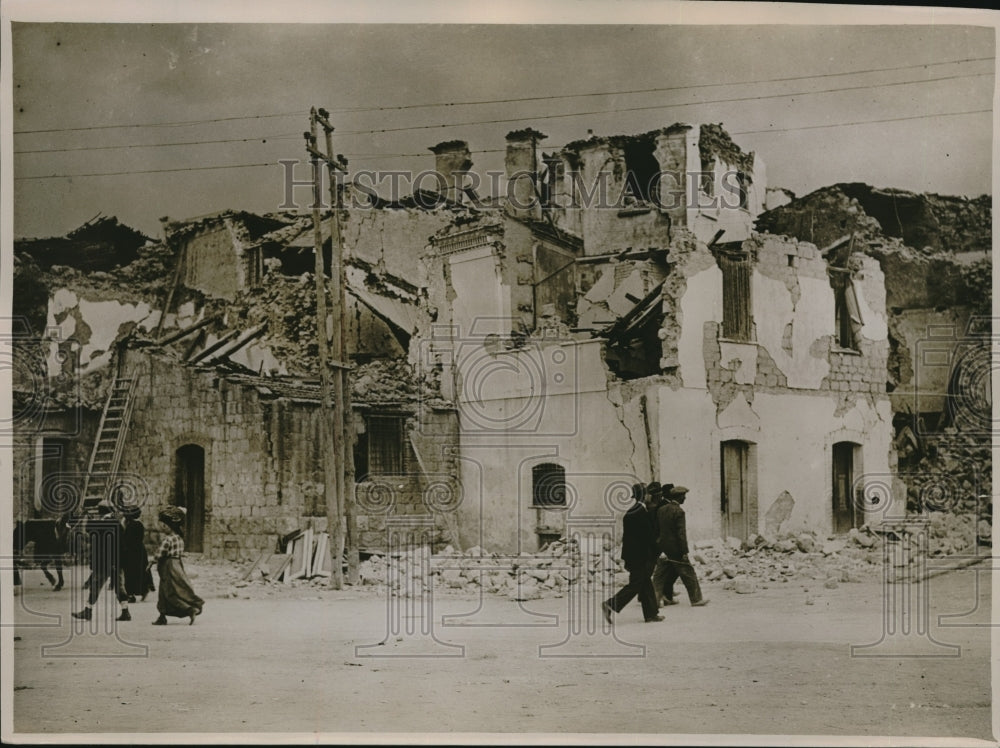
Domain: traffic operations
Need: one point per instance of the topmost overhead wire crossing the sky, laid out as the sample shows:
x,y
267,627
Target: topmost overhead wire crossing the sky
x,y
182,123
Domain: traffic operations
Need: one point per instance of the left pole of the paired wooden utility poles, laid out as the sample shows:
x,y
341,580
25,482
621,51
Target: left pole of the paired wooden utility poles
x,y
330,444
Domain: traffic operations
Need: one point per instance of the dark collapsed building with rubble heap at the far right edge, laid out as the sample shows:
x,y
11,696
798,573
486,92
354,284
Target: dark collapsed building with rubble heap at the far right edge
x,y
936,254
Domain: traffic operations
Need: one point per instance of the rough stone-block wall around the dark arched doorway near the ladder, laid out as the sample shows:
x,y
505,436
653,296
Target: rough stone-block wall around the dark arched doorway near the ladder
x,y
263,467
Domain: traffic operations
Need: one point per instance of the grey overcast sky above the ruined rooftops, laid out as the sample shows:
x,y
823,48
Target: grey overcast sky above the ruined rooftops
x,y
257,82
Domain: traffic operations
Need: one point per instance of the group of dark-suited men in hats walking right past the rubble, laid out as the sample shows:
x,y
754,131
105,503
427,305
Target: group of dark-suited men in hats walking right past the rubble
x,y
655,552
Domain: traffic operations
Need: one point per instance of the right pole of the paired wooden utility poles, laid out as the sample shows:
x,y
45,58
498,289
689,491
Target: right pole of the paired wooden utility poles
x,y
344,418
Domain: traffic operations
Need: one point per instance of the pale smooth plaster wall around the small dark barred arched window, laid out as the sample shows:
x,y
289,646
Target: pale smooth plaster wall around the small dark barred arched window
x,y
548,402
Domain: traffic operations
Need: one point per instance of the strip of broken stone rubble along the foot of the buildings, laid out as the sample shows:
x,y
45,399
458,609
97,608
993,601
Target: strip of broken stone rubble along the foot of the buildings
x,y
743,567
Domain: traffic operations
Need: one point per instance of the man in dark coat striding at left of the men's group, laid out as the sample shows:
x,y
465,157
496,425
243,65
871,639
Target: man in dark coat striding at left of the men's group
x,y
638,553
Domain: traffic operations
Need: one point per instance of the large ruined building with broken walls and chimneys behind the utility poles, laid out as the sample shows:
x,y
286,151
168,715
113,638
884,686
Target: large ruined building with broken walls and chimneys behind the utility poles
x,y
611,317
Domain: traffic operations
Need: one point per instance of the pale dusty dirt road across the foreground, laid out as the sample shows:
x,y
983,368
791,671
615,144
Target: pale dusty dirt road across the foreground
x,y
764,663
